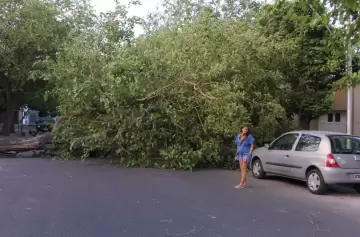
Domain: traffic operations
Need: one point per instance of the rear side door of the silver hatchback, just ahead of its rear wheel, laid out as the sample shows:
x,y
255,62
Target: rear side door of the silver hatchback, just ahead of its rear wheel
x,y
305,154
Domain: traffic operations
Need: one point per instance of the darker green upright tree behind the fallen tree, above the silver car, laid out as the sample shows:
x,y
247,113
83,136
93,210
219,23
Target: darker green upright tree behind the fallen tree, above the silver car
x,y
307,89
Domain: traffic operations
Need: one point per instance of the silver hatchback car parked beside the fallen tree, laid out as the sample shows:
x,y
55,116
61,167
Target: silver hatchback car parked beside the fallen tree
x,y
317,157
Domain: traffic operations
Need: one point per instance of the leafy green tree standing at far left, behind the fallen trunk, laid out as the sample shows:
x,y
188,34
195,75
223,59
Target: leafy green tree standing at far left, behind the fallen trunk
x,y
31,33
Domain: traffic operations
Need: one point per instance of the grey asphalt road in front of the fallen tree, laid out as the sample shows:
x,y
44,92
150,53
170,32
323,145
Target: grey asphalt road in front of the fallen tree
x,y
46,198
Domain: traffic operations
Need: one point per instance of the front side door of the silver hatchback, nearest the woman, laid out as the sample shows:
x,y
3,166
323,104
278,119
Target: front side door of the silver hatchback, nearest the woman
x,y
277,157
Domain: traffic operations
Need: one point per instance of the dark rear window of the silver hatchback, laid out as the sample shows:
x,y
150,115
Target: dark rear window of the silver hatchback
x,y
345,144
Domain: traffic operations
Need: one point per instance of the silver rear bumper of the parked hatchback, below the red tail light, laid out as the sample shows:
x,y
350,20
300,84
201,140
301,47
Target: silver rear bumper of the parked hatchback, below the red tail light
x,y
340,176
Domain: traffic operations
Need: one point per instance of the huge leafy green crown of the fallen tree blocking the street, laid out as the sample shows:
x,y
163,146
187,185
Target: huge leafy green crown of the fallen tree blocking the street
x,y
173,98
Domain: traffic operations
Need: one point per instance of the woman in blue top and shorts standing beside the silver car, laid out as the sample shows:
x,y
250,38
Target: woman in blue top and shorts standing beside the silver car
x,y
245,146
